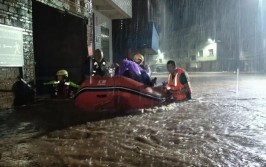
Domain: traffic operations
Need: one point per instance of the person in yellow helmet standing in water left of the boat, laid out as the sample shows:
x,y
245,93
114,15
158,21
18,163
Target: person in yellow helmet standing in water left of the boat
x,y
62,87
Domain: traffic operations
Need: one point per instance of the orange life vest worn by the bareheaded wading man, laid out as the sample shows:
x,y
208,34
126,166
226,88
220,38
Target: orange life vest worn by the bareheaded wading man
x,y
175,84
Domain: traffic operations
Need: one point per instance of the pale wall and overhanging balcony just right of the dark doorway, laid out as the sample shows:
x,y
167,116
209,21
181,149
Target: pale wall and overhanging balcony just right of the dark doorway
x,y
105,11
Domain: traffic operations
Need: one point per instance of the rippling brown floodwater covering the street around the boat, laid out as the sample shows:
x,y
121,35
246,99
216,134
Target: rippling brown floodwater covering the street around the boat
x,y
224,125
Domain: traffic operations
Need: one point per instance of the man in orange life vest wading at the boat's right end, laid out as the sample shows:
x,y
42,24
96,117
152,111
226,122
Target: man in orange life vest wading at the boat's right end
x,y
178,86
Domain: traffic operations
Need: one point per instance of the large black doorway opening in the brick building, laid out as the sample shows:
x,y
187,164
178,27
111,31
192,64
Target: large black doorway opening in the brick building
x,y
59,43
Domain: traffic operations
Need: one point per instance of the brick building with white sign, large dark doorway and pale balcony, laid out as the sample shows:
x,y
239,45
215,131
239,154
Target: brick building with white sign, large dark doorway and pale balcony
x,y
51,35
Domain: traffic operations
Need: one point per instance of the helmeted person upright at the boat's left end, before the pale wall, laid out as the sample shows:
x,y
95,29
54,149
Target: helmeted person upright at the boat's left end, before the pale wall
x,y
99,65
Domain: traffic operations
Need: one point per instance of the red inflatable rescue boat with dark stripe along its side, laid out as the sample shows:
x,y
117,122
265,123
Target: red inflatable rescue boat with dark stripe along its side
x,y
115,93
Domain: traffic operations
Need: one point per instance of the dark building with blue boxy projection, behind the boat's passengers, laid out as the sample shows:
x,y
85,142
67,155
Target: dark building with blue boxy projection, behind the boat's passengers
x,y
139,34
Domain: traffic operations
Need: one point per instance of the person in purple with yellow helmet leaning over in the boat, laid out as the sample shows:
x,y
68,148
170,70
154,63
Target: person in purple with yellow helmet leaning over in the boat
x,y
133,69
